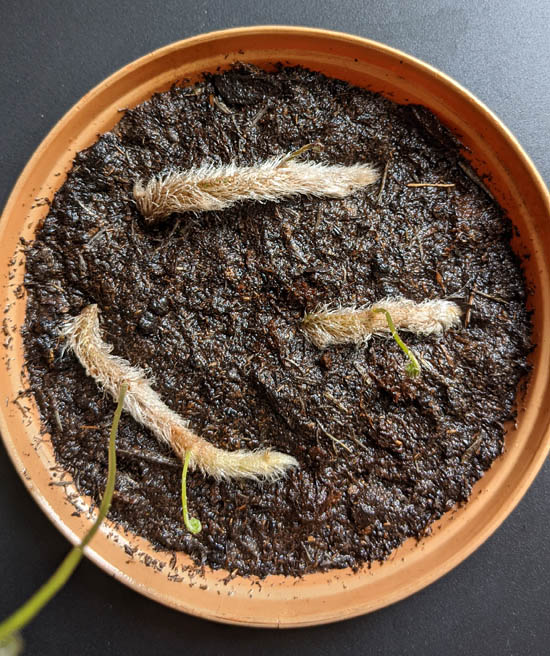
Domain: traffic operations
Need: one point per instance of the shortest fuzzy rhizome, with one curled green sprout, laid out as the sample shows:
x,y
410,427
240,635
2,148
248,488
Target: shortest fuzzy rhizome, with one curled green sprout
x,y
331,325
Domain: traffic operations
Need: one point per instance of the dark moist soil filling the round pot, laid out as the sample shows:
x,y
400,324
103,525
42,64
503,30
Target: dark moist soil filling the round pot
x,y
212,304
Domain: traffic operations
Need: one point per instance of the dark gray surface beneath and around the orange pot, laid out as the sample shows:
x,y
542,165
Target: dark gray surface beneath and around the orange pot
x,y
51,53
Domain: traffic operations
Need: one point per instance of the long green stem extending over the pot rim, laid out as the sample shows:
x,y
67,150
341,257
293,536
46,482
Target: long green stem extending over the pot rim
x,y
18,620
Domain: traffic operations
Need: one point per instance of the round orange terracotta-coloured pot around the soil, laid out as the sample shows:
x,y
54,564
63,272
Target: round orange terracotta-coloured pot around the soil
x,y
317,598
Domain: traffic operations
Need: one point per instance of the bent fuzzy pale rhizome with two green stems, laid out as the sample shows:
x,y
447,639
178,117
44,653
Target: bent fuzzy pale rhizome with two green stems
x,y
83,336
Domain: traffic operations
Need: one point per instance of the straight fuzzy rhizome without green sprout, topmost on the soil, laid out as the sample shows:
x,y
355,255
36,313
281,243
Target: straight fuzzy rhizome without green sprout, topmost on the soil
x,y
217,187
